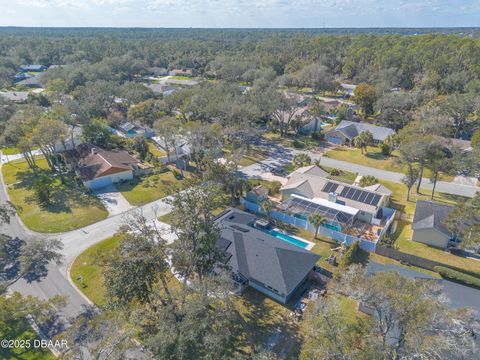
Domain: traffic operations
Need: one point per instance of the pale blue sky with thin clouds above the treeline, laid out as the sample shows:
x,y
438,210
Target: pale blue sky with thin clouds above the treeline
x,y
240,13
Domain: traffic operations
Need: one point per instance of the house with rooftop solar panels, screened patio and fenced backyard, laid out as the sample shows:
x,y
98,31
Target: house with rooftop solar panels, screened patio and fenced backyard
x,y
351,213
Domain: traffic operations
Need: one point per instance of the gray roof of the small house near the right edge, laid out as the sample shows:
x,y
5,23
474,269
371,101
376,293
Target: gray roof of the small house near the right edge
x,y
430,215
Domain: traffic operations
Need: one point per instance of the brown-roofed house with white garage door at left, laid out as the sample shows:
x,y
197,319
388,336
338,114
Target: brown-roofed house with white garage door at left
x,y
98,168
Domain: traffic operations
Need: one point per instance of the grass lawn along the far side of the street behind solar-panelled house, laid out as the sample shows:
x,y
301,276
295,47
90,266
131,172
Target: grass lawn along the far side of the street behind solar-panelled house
x,y
375,159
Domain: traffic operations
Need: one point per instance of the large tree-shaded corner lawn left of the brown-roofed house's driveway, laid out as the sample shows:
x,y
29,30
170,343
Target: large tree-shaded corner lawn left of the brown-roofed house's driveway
x,y
71,209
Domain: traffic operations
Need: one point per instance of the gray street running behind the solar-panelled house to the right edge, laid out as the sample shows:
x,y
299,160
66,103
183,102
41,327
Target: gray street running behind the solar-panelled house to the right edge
x,y
283,156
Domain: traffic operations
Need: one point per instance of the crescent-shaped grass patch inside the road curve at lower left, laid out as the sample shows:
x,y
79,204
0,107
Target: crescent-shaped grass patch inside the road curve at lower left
x,y
89,264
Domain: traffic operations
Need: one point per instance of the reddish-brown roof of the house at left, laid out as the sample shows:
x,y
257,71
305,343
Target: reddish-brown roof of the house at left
x,y
94,162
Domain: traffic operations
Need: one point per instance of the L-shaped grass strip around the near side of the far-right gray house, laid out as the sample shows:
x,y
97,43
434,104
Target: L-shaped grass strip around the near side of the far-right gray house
x,y
404,243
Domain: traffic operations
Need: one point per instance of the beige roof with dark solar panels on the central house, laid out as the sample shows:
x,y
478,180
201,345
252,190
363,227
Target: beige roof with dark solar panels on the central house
x,y
313,184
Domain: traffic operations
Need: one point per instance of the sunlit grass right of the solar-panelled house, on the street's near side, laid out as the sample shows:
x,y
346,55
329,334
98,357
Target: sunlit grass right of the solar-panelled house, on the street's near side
x,y
399,201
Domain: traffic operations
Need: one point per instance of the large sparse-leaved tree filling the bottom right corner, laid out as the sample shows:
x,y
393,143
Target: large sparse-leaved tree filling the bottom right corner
x,y
408,318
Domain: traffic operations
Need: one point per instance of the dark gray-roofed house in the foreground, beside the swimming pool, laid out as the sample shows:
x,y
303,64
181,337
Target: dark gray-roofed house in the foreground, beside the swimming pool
x,y
258,258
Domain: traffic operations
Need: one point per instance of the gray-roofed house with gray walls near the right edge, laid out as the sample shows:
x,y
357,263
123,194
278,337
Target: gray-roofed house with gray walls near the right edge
x,y
428,227
